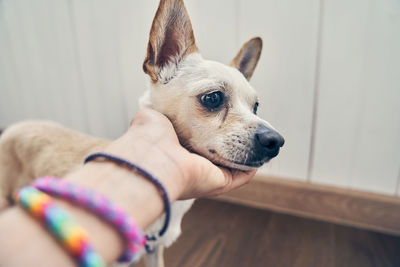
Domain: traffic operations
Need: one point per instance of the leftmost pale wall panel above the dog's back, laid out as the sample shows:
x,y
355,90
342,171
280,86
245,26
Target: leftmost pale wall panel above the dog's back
x,y
39,56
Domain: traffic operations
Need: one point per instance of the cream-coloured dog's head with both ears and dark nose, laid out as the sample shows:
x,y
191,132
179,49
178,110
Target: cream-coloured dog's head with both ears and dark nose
x,y
212,106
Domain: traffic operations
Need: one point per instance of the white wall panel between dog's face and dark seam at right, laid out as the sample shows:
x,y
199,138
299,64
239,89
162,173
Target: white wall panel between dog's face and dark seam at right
x,y
284,77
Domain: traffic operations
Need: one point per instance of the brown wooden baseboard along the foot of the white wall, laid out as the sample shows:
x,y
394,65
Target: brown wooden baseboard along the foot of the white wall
x,y
331,204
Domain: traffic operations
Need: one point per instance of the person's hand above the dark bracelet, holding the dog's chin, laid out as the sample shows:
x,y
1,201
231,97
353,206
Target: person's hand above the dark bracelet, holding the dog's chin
x,y
152,143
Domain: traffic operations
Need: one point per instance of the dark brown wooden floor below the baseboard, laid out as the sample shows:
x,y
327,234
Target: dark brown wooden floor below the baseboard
x,y
221,234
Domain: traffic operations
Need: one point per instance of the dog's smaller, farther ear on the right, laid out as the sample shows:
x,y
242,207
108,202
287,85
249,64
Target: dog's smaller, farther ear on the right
x,y
247,58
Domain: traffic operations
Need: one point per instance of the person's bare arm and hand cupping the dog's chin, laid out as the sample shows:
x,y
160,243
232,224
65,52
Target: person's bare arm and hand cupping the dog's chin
x,y
152,144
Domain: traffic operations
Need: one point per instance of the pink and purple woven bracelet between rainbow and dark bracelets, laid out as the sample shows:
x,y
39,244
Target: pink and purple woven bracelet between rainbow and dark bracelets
x,y
101,206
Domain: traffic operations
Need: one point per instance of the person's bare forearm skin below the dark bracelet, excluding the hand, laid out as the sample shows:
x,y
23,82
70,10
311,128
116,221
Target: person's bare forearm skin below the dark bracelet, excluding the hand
x,y
134,194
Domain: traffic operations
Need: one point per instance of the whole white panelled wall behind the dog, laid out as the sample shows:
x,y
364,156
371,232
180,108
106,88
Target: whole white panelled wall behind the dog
x,y
328,78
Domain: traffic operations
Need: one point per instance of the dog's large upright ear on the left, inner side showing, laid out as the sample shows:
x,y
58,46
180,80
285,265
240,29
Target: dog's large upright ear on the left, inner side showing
x,y
171,40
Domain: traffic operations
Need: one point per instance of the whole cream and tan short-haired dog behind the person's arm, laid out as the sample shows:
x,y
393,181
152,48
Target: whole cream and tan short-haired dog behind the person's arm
x,y
212,106
